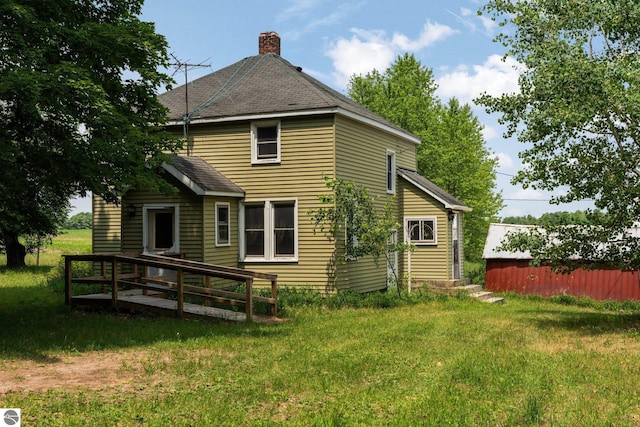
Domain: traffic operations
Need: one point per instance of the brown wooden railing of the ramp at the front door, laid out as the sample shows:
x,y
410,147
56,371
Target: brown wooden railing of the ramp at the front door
x,y
136,276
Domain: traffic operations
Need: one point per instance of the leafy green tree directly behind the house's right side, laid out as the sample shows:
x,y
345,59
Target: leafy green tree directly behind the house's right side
x,y
452,153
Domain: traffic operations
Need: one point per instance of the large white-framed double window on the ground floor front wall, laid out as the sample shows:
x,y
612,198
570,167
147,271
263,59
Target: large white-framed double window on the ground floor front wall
x,y
270,230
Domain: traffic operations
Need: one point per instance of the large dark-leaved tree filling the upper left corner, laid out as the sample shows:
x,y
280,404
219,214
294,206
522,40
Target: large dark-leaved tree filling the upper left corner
x,y
78,109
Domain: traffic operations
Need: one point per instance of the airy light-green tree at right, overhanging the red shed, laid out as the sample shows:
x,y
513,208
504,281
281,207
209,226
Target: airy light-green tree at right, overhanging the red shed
x,y
578,111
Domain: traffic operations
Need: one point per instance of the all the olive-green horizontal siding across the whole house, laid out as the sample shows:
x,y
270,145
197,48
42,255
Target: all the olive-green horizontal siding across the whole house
x,y
311,147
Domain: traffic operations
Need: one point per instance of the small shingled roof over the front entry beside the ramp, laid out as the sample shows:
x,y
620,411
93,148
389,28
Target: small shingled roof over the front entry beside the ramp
x,y
200,177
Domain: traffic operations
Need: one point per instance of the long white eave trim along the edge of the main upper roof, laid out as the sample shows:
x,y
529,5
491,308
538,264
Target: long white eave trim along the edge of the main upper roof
x,y
302,113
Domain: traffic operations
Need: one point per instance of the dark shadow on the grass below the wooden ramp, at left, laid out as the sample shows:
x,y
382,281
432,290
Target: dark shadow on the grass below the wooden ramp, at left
x,y
34,322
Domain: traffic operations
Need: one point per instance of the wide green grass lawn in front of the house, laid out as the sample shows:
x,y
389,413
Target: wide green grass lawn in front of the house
x,y
439,362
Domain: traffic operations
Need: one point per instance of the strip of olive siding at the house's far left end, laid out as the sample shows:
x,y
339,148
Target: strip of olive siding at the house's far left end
x,y
106,232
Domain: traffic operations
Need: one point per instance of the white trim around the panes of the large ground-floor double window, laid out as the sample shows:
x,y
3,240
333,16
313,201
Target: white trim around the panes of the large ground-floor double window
x,y
269,247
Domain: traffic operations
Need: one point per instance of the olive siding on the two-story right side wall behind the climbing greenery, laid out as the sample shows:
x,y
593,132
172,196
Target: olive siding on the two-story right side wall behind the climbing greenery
x,y
361,156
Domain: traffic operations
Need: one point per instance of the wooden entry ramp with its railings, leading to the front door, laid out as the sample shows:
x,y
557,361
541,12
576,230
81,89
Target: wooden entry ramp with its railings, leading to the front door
x,y
135,289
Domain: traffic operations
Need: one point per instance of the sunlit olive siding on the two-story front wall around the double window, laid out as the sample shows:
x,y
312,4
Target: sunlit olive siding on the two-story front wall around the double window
x,y
307,154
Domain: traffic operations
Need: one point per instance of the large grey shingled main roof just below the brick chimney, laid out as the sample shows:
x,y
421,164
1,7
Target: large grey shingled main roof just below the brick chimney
x,y
264,86
